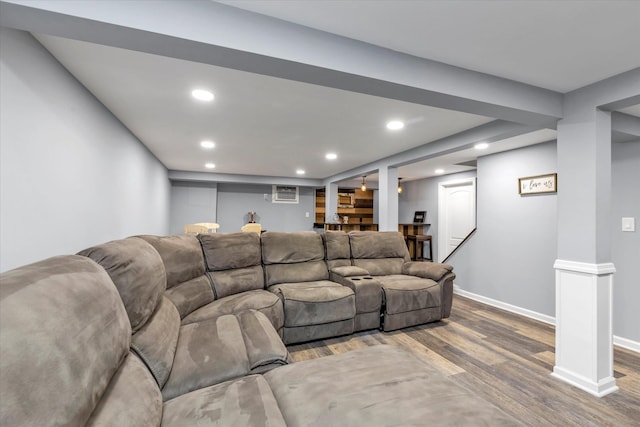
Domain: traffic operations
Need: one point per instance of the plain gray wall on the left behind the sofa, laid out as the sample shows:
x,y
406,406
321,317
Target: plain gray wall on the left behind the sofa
x,y
71,175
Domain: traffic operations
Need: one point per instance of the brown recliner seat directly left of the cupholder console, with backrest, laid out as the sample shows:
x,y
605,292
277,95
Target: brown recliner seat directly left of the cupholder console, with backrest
x,y
296,271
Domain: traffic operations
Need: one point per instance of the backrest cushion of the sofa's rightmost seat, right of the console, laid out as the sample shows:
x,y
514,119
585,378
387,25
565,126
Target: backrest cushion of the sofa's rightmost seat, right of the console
x,y
380,253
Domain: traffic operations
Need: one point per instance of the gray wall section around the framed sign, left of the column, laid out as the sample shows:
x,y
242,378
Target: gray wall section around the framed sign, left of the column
x,y
514,249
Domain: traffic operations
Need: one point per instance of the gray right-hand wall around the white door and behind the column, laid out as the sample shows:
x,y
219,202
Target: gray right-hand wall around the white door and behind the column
x,y
511,256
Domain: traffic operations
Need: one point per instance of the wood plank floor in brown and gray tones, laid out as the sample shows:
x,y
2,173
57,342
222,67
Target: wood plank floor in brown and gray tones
x,y
505,359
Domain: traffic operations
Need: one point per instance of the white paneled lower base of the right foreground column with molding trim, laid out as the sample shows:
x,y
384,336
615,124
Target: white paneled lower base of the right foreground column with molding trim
x,y
584,326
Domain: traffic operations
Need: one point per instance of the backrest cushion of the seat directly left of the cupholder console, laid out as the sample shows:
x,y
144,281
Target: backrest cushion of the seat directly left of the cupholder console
x,y
293,257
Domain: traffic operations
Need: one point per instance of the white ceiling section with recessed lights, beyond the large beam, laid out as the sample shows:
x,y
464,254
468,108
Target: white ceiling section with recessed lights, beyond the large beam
x,y
261,125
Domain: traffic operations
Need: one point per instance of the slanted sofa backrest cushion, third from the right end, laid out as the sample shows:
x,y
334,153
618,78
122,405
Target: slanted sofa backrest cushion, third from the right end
x,y
234,262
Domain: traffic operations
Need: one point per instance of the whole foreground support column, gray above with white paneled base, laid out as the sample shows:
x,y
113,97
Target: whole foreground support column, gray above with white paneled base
x,y
584,272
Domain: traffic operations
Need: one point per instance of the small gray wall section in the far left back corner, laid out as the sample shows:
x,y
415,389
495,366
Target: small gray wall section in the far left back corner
x,y
190,203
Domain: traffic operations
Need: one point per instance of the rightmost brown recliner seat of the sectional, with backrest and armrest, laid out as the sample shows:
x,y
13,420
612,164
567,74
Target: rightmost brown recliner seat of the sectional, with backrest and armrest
x,y
413,293
